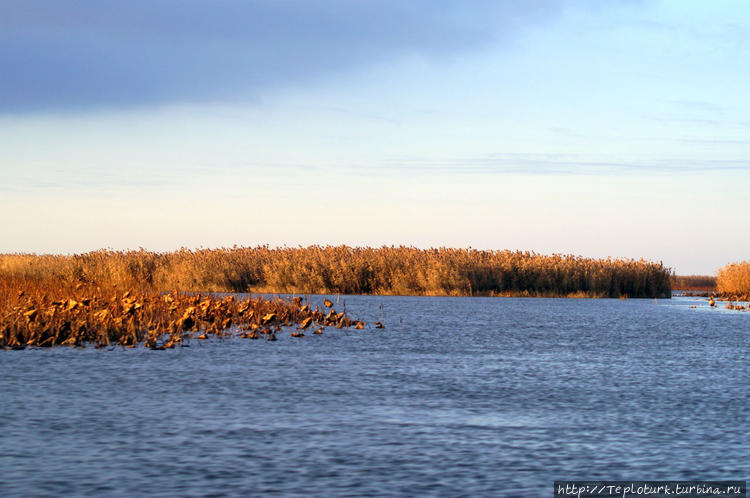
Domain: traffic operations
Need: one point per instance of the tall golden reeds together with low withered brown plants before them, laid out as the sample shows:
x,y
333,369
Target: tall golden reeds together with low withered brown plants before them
x,y
111,298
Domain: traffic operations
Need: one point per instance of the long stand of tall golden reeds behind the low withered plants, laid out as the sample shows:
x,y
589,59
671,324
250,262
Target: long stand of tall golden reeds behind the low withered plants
x,y
351,270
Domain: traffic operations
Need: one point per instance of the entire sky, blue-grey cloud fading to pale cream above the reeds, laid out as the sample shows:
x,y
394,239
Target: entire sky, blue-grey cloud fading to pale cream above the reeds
x,y
598,129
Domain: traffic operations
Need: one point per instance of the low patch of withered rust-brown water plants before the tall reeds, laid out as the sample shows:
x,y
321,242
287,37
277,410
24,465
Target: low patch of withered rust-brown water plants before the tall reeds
x,y
46,313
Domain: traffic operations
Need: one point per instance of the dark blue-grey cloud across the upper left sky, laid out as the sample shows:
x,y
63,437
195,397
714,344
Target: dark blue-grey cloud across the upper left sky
x,y
64,55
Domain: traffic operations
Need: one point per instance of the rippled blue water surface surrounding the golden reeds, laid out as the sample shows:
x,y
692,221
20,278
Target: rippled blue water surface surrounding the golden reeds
x,y
457,397
